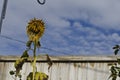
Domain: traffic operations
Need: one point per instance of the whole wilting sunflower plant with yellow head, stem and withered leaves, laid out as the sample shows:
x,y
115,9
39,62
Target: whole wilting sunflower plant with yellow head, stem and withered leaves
x,y
35,30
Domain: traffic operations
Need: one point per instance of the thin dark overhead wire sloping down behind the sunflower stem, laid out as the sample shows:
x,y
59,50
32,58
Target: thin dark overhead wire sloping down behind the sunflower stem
x,y
23,42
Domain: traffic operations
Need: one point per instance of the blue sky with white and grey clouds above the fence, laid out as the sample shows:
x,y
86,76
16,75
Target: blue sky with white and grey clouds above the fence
x,y
73,27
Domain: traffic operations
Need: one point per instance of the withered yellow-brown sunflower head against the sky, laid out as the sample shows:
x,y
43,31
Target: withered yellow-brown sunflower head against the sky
x,y
35,29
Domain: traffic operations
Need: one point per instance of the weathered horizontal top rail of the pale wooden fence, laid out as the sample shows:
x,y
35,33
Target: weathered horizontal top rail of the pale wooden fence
x,y
65,59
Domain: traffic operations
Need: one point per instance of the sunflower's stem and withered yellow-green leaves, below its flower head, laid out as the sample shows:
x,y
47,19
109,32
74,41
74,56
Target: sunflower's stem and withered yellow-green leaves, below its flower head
x,y
20,62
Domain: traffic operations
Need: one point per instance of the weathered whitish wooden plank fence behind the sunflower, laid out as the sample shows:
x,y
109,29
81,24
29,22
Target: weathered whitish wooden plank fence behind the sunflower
x,y
63,68
